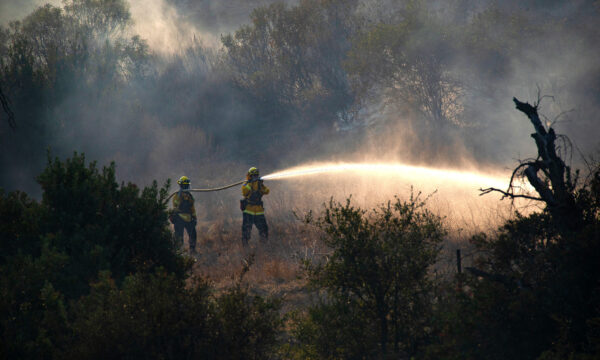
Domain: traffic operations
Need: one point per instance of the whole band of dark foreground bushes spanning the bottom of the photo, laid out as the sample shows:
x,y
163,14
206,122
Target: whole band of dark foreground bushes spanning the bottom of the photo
x,y
92,271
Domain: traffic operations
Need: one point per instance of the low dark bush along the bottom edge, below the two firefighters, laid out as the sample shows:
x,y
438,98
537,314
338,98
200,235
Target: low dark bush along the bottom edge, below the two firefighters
x,y
156,316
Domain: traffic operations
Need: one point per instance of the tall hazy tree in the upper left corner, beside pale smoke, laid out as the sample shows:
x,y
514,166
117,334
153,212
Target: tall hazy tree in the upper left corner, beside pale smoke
x,y
54,53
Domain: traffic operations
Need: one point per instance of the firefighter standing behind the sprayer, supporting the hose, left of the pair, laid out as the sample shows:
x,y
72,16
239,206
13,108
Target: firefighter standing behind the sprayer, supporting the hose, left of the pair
x,y
183,215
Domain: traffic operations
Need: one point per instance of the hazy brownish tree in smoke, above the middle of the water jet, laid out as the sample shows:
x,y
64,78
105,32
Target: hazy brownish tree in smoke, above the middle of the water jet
x,y
411,61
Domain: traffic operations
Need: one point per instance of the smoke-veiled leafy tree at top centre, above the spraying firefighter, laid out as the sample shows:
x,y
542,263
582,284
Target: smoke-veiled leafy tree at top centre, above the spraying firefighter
x,y
293,56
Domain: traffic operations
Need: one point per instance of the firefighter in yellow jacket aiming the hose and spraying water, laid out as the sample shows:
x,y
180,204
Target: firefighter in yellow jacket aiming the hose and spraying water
x,y
252,206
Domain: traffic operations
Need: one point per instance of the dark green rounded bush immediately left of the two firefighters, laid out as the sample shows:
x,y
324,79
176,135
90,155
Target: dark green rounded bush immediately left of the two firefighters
x,y
103,226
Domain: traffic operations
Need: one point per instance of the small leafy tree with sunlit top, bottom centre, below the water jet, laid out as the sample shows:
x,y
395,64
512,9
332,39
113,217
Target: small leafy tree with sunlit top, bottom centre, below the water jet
x,y
375,280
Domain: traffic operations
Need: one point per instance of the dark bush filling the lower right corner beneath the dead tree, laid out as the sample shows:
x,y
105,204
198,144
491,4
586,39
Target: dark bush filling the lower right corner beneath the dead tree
x,y
536,293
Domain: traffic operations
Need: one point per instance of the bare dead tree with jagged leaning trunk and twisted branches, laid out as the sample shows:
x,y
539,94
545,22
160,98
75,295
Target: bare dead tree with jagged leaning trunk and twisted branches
x,y
548,174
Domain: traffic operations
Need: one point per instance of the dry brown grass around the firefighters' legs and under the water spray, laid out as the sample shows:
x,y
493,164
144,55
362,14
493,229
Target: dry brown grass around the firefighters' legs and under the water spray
x,y
276,269
